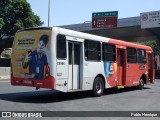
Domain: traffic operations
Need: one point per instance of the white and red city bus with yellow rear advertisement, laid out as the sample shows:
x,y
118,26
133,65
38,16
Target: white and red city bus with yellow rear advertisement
x,y
69,61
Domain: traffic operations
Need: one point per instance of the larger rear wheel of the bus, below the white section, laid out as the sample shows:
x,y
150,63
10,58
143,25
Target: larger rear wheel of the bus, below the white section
x,y
98,87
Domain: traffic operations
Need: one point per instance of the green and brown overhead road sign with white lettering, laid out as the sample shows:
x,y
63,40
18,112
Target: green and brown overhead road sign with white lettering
x,y
104,19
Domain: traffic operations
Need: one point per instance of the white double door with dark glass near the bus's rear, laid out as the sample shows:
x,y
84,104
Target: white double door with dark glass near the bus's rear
x,y
74,65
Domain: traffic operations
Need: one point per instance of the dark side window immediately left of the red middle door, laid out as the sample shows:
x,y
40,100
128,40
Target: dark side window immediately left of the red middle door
x,y
109,52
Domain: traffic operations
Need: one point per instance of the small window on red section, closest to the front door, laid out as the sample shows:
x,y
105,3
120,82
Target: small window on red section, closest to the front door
x,y
141,56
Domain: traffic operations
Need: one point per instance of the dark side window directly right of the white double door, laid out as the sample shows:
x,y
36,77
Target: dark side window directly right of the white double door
x,y
92,50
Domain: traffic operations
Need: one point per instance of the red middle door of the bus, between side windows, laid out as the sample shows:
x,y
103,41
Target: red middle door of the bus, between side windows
x,y
121,66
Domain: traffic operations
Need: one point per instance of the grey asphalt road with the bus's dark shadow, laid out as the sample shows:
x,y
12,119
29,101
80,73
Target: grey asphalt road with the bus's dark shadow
x,y
13,98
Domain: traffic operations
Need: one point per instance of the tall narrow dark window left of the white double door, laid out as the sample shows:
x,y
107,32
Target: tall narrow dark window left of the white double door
x,y
61,47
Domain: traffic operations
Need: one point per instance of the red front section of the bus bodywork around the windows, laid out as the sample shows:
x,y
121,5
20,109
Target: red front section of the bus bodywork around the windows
x,y
130,73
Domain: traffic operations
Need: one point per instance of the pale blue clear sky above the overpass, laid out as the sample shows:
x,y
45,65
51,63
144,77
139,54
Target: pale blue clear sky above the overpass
x,y
67,12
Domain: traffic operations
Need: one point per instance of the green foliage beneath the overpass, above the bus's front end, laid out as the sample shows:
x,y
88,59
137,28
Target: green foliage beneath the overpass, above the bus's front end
x,y
152,44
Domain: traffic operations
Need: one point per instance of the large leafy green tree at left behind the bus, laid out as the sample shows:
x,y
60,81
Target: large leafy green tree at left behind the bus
x,y
15,15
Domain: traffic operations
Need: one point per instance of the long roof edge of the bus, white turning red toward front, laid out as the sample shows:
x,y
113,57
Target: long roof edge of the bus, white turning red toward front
x,y
89,36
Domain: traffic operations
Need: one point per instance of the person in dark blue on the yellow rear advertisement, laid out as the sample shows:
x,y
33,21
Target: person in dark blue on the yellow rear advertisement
x,y
37,59
